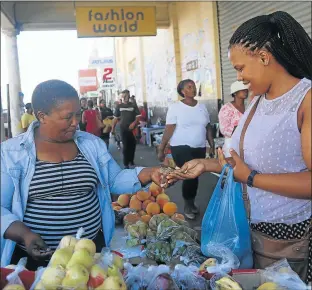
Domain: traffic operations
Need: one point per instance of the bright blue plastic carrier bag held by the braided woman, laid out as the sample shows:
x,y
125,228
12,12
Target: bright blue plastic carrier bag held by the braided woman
x,y
225,221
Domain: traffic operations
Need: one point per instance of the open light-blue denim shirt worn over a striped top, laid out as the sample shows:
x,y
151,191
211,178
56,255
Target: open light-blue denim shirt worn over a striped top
x,y
18,160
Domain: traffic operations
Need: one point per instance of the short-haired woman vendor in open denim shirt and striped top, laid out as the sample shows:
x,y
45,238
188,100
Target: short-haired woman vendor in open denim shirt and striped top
x,y
55,179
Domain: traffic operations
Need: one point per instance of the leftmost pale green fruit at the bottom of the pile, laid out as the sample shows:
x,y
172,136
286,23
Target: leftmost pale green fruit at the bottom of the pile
x,y
52,277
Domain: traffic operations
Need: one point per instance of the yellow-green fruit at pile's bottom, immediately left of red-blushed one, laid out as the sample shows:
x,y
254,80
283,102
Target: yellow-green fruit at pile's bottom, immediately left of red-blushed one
x,y
77,277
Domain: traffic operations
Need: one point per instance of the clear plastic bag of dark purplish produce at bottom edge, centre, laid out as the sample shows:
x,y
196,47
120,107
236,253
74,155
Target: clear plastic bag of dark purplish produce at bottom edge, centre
x,y
161,280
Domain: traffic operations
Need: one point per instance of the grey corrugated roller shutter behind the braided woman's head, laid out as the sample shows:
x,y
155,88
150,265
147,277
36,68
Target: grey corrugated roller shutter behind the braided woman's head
x,y
232,14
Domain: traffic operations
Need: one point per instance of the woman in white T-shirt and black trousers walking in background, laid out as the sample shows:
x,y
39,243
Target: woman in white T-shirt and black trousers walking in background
x,y
187,129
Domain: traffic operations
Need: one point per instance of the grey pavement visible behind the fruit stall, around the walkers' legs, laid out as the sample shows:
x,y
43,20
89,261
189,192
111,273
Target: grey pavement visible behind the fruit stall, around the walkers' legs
x,y
146,156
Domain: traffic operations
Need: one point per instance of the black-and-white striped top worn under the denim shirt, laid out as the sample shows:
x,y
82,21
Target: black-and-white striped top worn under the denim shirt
x,y
62,198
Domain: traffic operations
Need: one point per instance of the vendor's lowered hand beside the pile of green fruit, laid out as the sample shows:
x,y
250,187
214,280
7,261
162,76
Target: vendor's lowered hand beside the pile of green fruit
x,y
36,247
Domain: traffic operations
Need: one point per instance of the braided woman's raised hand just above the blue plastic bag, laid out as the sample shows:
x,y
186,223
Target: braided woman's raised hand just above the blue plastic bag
x,y
241,169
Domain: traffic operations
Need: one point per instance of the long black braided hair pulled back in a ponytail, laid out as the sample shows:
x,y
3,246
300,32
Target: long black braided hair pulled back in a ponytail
x,y
282,36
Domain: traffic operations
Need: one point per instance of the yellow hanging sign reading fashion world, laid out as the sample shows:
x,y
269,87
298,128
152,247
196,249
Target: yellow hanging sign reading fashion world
x,y
115,21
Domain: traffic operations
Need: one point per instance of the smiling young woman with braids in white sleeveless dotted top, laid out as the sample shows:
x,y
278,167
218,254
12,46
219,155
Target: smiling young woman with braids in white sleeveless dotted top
x,y
272,54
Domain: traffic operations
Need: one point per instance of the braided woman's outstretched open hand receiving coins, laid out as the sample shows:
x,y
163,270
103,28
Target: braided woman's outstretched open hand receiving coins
x,y
189,170
